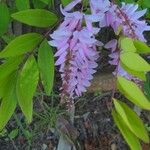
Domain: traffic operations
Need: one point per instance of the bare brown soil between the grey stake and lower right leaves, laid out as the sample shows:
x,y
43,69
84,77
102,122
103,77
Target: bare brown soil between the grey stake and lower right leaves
x,y
97,130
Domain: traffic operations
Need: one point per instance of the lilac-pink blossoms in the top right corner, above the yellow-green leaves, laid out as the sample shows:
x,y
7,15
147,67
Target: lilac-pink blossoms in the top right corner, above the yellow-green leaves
x,y
128,17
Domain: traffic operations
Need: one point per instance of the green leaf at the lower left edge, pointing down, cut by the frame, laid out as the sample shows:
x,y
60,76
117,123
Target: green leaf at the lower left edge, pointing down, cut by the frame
x,y
9,101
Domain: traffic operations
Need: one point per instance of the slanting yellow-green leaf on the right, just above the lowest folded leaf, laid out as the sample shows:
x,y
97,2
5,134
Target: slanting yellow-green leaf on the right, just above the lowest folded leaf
x,y
132,92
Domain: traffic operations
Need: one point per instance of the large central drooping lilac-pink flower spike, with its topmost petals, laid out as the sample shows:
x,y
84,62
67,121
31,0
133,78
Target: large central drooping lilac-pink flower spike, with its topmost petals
x,y
76,51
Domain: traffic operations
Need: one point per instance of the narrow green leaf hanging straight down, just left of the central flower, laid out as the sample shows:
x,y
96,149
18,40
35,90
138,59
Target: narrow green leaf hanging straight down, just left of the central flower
x,y
46,66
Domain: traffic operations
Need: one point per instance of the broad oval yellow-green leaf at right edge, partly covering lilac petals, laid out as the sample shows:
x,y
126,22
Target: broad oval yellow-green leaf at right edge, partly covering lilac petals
x,y
134,62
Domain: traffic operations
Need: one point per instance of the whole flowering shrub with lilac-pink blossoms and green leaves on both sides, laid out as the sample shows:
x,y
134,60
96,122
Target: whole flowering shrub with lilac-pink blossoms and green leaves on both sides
x,y
76,42
